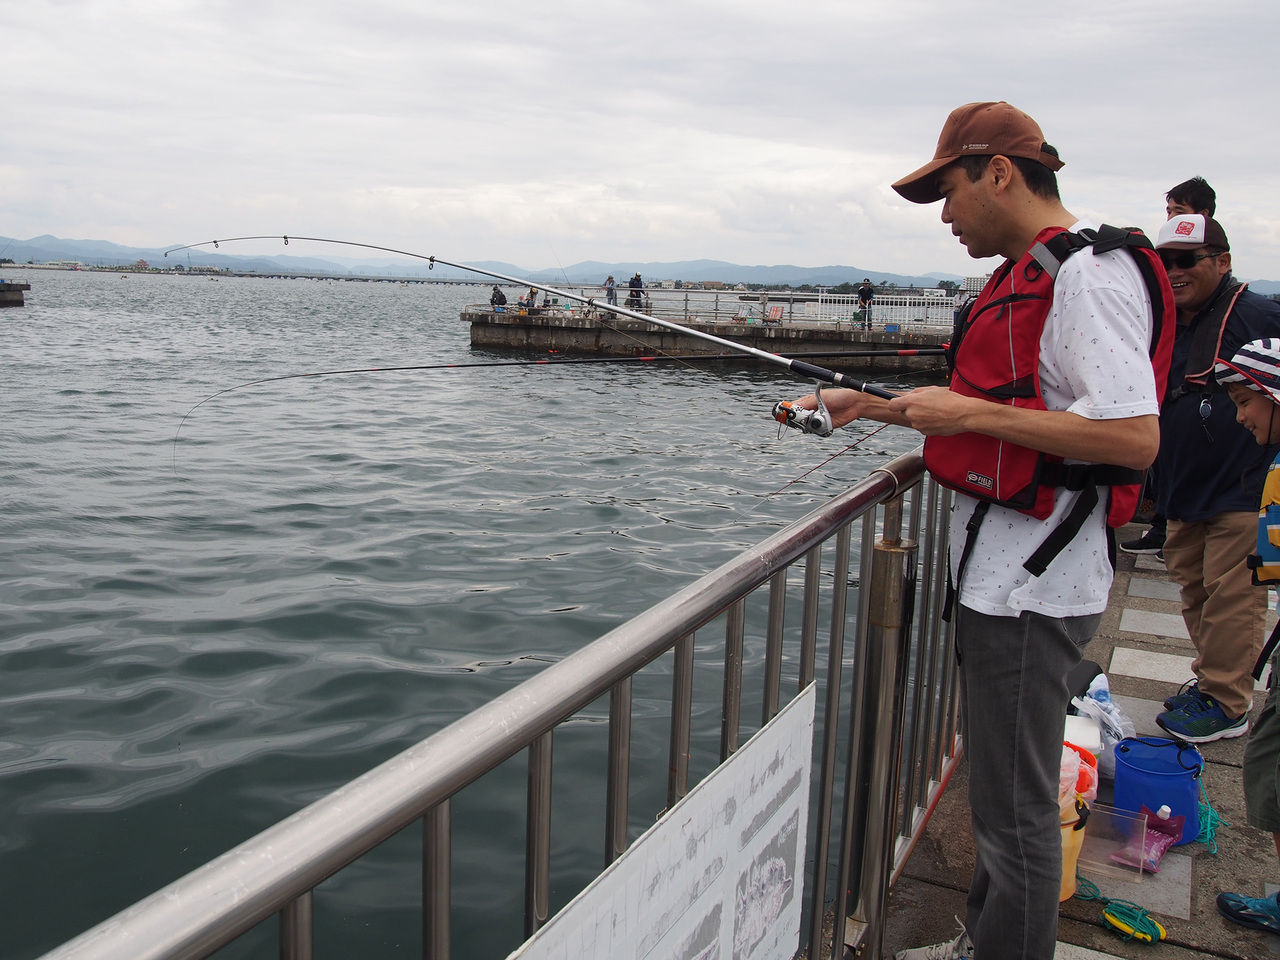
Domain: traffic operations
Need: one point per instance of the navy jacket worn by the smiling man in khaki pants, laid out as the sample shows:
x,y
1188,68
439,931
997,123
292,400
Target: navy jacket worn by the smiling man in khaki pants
x,y
1210,467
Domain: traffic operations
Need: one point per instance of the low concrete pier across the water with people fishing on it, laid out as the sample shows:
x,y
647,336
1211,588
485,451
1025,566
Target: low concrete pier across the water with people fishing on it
x,y
573,332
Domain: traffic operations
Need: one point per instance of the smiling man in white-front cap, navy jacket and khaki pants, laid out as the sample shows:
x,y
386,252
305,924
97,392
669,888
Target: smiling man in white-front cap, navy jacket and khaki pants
x,y
1210,481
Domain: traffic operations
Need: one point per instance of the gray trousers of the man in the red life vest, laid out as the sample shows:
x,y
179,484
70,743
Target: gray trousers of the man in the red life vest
x,y
1013,689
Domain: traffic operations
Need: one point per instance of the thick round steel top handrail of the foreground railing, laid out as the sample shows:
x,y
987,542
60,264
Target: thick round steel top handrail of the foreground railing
x,y
217,903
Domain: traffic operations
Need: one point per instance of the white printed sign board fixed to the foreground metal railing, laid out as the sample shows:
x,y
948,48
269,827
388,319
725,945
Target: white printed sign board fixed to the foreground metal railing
x,y
719,877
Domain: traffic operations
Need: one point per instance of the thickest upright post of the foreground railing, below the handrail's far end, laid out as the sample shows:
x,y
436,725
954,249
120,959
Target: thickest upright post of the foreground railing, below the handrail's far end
x,y
876,760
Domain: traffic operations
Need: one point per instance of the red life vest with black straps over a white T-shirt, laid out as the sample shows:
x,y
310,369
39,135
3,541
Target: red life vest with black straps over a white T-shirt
x,y
995,355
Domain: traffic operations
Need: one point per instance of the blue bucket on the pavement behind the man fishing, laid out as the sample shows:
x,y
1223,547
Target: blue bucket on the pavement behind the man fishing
x,y
1155,772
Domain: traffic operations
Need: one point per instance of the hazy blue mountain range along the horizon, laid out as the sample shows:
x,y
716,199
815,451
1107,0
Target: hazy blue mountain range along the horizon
x,y
106,254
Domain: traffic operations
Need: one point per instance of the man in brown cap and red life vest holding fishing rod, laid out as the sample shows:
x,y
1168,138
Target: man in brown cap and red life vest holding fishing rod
x,y
1081,388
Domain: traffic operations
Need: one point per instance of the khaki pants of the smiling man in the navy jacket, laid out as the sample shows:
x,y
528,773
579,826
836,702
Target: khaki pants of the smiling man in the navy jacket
x,y
1223,610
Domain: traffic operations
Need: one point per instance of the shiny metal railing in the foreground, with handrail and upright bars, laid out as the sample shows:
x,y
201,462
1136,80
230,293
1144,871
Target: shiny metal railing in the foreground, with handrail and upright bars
x,y
898,712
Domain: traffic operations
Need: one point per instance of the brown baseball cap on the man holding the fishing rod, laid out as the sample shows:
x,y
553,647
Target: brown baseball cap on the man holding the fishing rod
x,y
980,130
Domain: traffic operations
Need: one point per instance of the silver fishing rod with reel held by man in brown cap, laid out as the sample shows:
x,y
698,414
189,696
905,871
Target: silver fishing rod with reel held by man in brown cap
x,y
817,422
